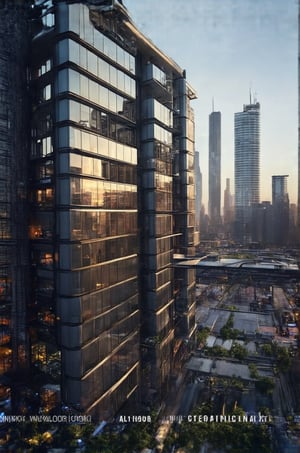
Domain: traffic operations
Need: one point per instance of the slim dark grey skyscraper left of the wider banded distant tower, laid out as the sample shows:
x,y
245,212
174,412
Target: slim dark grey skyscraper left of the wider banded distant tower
x,y
214,181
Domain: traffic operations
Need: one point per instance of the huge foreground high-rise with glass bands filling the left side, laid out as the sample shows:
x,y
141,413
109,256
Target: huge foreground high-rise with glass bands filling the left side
x,y
97,164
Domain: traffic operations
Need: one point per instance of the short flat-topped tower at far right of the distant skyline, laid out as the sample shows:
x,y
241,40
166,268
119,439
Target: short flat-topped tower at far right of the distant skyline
x,y
281,207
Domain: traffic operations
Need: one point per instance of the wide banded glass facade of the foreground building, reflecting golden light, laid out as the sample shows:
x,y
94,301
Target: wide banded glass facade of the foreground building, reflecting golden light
x,y
84,194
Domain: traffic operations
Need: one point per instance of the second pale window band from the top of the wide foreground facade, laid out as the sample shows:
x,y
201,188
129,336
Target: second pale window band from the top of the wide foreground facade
x,y
69,50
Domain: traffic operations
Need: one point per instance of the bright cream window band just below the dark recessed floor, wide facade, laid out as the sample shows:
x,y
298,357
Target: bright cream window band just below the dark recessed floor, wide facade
x,y
71,137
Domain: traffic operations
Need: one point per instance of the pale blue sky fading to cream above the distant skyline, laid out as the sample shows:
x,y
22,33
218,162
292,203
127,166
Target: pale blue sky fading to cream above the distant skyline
x,y
229,48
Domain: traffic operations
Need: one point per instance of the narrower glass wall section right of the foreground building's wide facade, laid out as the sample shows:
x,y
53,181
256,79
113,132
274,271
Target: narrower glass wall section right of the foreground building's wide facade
x,y
156,219
